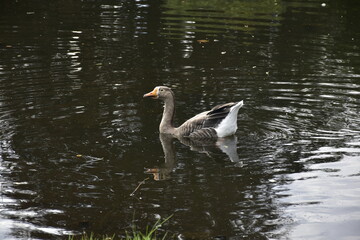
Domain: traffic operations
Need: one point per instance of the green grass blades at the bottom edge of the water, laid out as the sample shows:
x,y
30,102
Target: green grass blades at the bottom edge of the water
x,y
150,234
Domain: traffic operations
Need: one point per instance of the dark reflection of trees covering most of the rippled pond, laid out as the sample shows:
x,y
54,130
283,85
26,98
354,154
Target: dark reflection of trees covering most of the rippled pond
x,y
60,54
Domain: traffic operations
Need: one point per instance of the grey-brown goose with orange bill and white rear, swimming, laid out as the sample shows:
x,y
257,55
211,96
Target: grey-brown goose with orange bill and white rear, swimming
x,y
219,122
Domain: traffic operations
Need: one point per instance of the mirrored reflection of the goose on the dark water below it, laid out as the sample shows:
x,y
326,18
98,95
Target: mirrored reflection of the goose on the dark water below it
x,y
209,147
